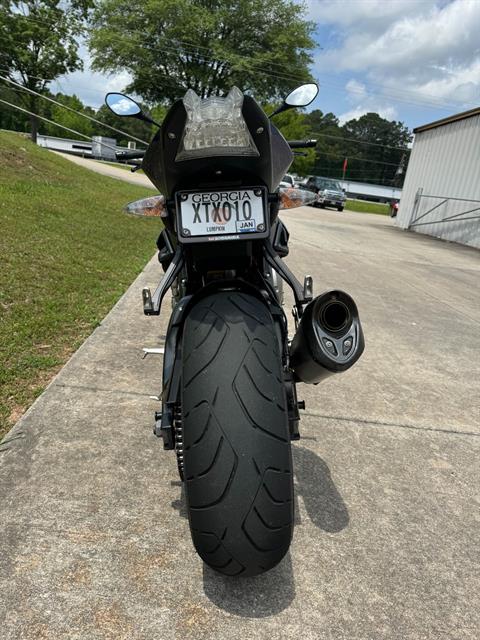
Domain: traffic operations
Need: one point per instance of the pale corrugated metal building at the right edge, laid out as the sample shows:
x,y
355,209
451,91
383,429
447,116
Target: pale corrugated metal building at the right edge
x,y
441,194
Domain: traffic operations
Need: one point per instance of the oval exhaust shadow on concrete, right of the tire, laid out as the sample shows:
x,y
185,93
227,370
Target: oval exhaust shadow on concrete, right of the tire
x,y
323,502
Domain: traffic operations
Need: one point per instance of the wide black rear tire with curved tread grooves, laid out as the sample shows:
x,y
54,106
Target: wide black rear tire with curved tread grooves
x,y
237,453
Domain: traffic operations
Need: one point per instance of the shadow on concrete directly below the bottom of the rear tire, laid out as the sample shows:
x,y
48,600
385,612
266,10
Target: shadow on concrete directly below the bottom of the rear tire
x,y
256,597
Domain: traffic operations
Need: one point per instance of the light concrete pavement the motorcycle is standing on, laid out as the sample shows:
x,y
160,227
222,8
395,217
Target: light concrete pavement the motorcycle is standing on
x,y
95,543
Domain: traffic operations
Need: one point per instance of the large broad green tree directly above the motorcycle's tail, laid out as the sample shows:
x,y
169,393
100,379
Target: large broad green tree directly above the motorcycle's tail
x,y
169,46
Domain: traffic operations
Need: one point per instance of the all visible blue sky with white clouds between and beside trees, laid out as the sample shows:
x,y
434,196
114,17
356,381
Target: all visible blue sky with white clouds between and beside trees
x,y
410,60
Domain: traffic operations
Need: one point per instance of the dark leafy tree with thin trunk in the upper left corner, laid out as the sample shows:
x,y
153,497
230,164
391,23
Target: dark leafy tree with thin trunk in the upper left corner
x,y
39,43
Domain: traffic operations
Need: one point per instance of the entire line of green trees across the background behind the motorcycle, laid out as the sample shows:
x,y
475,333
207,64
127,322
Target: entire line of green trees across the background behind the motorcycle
x,y
265,48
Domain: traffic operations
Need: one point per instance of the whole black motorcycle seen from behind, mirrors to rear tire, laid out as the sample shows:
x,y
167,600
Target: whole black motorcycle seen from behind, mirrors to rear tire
x,y
229,401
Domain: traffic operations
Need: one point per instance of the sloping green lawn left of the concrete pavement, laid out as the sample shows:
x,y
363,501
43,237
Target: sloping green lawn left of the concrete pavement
x,y
67,253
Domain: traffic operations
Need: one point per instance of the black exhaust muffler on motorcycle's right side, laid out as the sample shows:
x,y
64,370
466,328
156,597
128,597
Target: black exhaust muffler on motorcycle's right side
x,y
329,338
